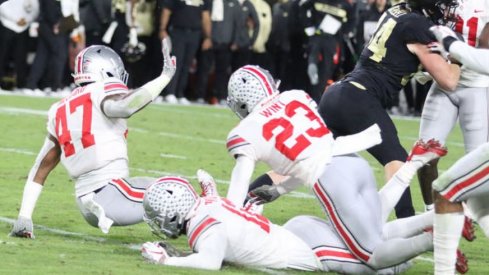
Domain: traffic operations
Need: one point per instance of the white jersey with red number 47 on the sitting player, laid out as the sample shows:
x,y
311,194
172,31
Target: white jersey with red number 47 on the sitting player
x,y
89,140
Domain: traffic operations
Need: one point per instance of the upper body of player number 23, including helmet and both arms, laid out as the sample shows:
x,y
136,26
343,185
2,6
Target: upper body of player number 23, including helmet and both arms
x,y
284,130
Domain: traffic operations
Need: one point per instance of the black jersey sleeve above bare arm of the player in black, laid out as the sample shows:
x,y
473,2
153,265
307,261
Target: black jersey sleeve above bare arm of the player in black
x,y
416,29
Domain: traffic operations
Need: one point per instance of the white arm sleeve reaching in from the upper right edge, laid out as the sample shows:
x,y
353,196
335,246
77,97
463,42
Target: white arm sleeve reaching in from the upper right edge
x,y
472,58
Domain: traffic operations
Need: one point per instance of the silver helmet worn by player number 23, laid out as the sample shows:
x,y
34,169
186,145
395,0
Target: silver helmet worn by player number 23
x,y
248,86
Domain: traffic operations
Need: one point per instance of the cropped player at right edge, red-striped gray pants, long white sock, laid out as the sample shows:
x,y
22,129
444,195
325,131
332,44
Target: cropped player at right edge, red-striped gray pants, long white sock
x,y
467,179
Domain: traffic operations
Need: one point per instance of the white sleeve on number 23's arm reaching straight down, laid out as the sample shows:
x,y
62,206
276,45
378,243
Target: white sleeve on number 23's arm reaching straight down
x,y
240,180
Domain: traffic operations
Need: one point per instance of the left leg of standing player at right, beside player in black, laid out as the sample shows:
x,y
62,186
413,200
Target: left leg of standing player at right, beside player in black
x,y
437,120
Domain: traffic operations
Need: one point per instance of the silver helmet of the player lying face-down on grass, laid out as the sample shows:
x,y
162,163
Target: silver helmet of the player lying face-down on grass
x,y
166,204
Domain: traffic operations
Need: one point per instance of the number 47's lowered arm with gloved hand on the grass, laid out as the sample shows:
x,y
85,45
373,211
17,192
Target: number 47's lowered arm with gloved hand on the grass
x,y
46,161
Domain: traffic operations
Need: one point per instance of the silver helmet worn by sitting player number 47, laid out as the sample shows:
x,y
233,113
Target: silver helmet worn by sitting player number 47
x,y
96,63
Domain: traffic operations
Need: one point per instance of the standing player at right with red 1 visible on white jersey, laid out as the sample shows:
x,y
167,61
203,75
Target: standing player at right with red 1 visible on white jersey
x,y
467,103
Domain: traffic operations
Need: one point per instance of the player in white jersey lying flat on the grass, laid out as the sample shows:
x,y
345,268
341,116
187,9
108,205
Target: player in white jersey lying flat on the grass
x,y
218,232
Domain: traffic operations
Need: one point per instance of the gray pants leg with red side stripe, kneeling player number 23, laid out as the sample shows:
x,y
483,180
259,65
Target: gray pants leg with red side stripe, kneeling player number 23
x,y
347,192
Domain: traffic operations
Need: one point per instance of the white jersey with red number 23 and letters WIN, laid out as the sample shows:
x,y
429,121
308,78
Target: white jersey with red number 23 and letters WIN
x,y
287,133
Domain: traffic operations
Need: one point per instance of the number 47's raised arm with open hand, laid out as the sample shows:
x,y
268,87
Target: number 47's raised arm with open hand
x,y
127,105
